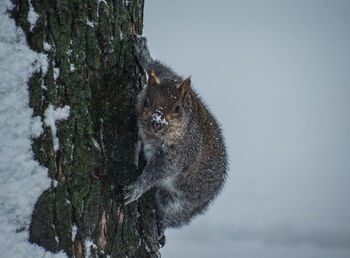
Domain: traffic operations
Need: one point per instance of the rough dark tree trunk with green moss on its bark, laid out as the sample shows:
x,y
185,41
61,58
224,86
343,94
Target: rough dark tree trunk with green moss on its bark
x,y
92,70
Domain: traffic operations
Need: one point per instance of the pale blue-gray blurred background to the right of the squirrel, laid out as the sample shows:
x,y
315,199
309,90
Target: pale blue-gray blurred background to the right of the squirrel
x,y
277,76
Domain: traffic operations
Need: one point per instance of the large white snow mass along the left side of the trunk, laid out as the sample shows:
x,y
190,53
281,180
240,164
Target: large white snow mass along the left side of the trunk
x,y
22,179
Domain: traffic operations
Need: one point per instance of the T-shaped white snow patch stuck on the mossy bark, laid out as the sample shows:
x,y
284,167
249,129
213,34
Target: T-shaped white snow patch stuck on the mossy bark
x,y
51,116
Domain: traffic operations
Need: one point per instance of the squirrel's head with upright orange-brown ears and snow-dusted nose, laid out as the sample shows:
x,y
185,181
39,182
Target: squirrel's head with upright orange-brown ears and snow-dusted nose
x,y
161,108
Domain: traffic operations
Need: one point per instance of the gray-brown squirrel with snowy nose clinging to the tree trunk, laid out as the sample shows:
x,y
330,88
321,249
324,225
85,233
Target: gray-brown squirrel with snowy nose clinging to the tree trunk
x,y
182,142
